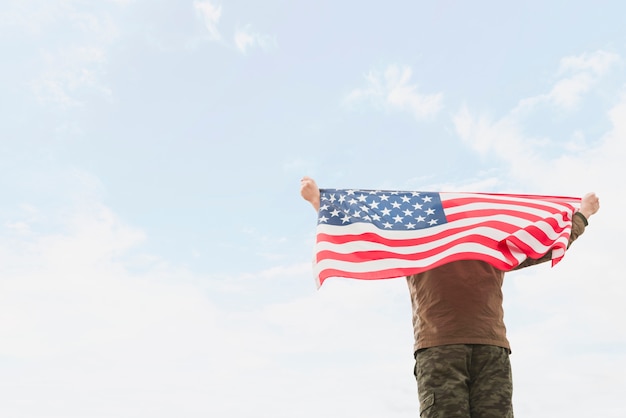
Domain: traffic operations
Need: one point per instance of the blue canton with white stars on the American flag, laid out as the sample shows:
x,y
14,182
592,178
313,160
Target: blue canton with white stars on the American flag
x,y
399,211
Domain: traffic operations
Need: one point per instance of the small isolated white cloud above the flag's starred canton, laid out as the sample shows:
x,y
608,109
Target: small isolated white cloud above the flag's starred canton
x,y
393,90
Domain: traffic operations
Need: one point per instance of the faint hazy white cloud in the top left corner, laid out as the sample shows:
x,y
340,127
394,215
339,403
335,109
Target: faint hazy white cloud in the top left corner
x,y
68,67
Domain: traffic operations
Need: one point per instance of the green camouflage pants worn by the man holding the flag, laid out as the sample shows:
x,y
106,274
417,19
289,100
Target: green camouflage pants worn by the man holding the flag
x,y
464,381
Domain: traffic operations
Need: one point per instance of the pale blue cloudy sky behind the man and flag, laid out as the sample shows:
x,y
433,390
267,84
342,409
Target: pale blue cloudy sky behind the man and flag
x,y
155,253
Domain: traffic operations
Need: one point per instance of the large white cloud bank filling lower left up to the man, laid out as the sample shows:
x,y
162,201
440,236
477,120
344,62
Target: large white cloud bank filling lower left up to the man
x,y
94,327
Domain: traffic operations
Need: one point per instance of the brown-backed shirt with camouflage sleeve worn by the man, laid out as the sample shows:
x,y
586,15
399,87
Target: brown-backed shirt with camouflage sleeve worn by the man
x,y
461,302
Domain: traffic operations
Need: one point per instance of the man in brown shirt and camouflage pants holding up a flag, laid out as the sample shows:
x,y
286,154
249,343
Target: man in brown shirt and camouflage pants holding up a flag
x,y
461,350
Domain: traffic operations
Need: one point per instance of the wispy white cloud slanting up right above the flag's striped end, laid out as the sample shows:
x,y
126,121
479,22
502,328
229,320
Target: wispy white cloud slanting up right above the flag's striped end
x,y
506,137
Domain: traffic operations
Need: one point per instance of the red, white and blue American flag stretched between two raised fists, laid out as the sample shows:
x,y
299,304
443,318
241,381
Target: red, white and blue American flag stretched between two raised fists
x,y
377,234
